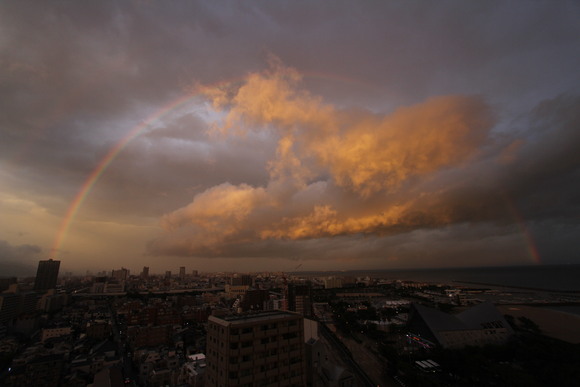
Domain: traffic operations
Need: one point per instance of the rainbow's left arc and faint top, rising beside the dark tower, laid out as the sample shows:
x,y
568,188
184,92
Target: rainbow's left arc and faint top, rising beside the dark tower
x,y
104,163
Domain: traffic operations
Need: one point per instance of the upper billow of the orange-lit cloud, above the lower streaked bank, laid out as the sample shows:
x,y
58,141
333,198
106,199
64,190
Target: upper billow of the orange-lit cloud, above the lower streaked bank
x,y
363,151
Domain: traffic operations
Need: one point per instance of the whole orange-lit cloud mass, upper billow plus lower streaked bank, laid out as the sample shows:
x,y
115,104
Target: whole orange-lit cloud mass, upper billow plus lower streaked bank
x,y
336,171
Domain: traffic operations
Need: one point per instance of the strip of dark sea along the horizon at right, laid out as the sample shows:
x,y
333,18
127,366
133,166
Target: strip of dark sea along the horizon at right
x,y
541,277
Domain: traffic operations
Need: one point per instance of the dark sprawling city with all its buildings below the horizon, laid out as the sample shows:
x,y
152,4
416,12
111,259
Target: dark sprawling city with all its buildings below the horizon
x,y
191,328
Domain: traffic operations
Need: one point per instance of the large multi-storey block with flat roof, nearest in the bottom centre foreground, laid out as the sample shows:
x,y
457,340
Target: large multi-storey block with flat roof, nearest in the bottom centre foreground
x,y
257,349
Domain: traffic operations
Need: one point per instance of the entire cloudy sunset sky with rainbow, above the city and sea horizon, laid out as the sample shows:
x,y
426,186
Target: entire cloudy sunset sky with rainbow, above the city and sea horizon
x,y
272,135
